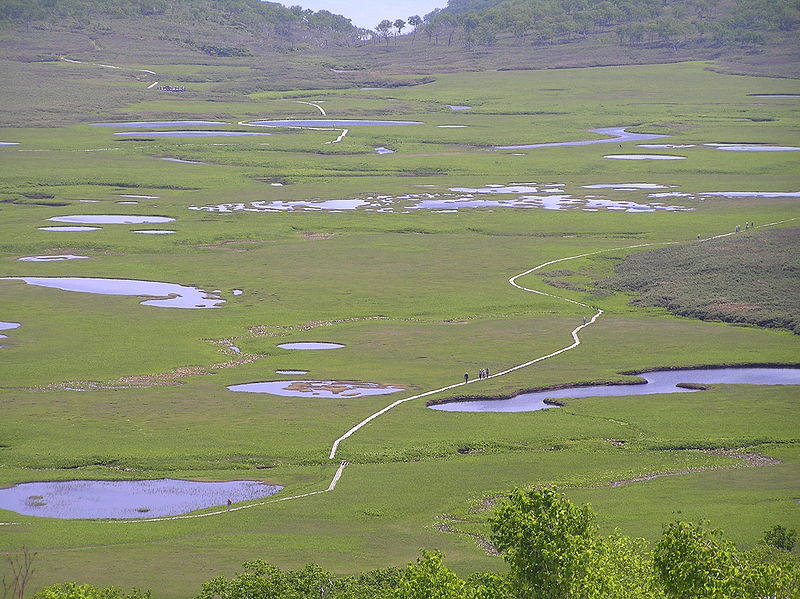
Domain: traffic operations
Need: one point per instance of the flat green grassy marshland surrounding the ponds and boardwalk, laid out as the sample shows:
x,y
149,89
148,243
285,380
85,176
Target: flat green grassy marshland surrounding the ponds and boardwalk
x,y
417,297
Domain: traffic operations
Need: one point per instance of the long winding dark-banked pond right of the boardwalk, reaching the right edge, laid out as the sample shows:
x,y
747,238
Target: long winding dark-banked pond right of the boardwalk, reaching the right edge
x,y
664,381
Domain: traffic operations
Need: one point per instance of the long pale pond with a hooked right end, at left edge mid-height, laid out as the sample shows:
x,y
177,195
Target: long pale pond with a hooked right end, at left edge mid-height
x,y
169,295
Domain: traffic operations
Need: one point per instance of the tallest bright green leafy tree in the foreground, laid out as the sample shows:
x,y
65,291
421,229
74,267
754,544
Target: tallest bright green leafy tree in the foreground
x,y
546,540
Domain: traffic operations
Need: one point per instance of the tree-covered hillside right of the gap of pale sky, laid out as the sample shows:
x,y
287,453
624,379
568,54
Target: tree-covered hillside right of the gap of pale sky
x,y
653,23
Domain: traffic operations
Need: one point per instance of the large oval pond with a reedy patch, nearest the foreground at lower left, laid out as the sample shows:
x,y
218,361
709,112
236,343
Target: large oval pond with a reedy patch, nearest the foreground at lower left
x,y
127,499
